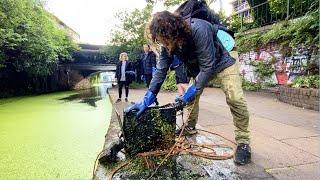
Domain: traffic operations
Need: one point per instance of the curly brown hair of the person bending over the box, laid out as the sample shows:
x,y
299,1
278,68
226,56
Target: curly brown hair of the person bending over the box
x,y
169,29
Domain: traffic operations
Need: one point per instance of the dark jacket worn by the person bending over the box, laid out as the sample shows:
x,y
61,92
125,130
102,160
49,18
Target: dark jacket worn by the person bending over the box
x,y
203,56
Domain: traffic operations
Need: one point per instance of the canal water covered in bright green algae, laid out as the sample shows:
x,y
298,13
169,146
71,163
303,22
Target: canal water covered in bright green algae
x,y
52,136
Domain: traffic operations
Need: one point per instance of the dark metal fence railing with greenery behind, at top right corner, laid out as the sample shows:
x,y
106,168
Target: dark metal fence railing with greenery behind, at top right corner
x,y
267,13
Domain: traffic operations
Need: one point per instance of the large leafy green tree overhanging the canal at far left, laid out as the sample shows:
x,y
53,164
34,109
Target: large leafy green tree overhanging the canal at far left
x,y
31,46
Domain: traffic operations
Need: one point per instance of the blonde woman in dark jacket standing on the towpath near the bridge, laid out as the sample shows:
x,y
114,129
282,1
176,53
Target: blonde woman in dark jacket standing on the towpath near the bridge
x,y
124,73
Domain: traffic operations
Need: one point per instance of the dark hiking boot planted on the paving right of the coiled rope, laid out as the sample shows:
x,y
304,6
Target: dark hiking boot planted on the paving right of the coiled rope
x,y
243,154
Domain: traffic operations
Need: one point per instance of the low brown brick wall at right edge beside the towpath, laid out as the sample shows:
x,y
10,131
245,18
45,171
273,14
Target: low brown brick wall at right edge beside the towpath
x,y
300,97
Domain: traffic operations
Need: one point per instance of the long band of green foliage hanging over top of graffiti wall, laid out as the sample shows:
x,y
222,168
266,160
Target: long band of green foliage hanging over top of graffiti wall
x,y
289,33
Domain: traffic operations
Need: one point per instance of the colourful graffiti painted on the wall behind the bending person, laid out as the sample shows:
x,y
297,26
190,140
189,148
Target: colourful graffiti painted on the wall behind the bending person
x,y
287,68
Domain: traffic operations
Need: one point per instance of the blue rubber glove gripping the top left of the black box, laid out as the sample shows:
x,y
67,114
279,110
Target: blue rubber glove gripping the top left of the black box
x,y
148,99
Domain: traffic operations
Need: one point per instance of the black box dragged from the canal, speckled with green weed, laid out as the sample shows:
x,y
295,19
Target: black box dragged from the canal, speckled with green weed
x,y
152,130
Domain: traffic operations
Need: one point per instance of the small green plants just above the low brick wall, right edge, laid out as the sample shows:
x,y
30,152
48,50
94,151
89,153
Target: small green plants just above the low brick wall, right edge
x,y
307,82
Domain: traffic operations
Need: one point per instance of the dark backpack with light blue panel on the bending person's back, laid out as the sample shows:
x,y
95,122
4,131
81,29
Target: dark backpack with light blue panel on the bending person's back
x,y
199,9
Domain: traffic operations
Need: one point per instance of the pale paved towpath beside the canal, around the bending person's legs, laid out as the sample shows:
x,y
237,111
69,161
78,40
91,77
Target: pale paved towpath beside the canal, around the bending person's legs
x,y
285,140
